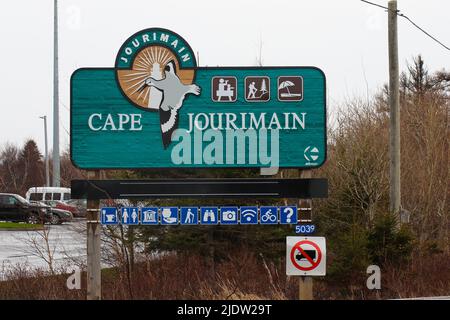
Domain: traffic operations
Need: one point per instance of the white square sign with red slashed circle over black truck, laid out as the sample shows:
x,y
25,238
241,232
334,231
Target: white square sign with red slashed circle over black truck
x,y
305,256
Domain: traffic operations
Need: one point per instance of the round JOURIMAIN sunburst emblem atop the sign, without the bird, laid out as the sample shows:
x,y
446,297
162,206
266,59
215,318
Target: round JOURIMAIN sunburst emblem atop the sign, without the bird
x,y
149,56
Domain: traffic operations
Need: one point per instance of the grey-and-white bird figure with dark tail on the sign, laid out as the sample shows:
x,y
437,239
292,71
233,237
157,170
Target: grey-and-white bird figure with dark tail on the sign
x,y
173,93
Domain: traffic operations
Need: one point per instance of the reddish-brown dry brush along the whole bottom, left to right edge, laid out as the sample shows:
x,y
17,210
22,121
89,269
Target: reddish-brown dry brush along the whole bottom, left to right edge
x,y
241,276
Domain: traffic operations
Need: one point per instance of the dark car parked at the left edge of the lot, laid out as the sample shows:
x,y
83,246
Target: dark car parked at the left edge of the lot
x,y
17,209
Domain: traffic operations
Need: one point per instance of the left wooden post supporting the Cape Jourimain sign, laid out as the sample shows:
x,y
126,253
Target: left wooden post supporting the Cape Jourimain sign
x,y
94,280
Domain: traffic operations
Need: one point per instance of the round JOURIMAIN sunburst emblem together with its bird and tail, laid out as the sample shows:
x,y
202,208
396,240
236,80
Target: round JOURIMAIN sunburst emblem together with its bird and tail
x,y
155,70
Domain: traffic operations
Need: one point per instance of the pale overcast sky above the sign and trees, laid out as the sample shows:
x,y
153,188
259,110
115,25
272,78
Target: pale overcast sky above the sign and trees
x,y
347,39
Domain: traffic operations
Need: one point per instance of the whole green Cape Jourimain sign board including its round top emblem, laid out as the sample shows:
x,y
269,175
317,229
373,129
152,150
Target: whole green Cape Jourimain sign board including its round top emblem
x,y
157,109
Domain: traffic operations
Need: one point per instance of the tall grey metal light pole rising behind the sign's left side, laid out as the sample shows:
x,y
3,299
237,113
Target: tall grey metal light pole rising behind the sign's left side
x,y
56,162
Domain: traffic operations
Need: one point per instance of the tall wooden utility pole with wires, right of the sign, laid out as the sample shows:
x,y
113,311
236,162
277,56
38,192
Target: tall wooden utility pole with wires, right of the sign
x,y
394,97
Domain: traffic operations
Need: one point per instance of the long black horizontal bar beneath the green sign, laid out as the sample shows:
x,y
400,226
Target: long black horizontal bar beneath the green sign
x,y
199,188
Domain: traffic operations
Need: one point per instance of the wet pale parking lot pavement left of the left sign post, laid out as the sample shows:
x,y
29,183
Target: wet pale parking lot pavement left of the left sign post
x,y
67,241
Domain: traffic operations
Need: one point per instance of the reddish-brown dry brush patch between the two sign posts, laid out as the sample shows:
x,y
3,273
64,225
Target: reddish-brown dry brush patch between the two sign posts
x,y
192,277
